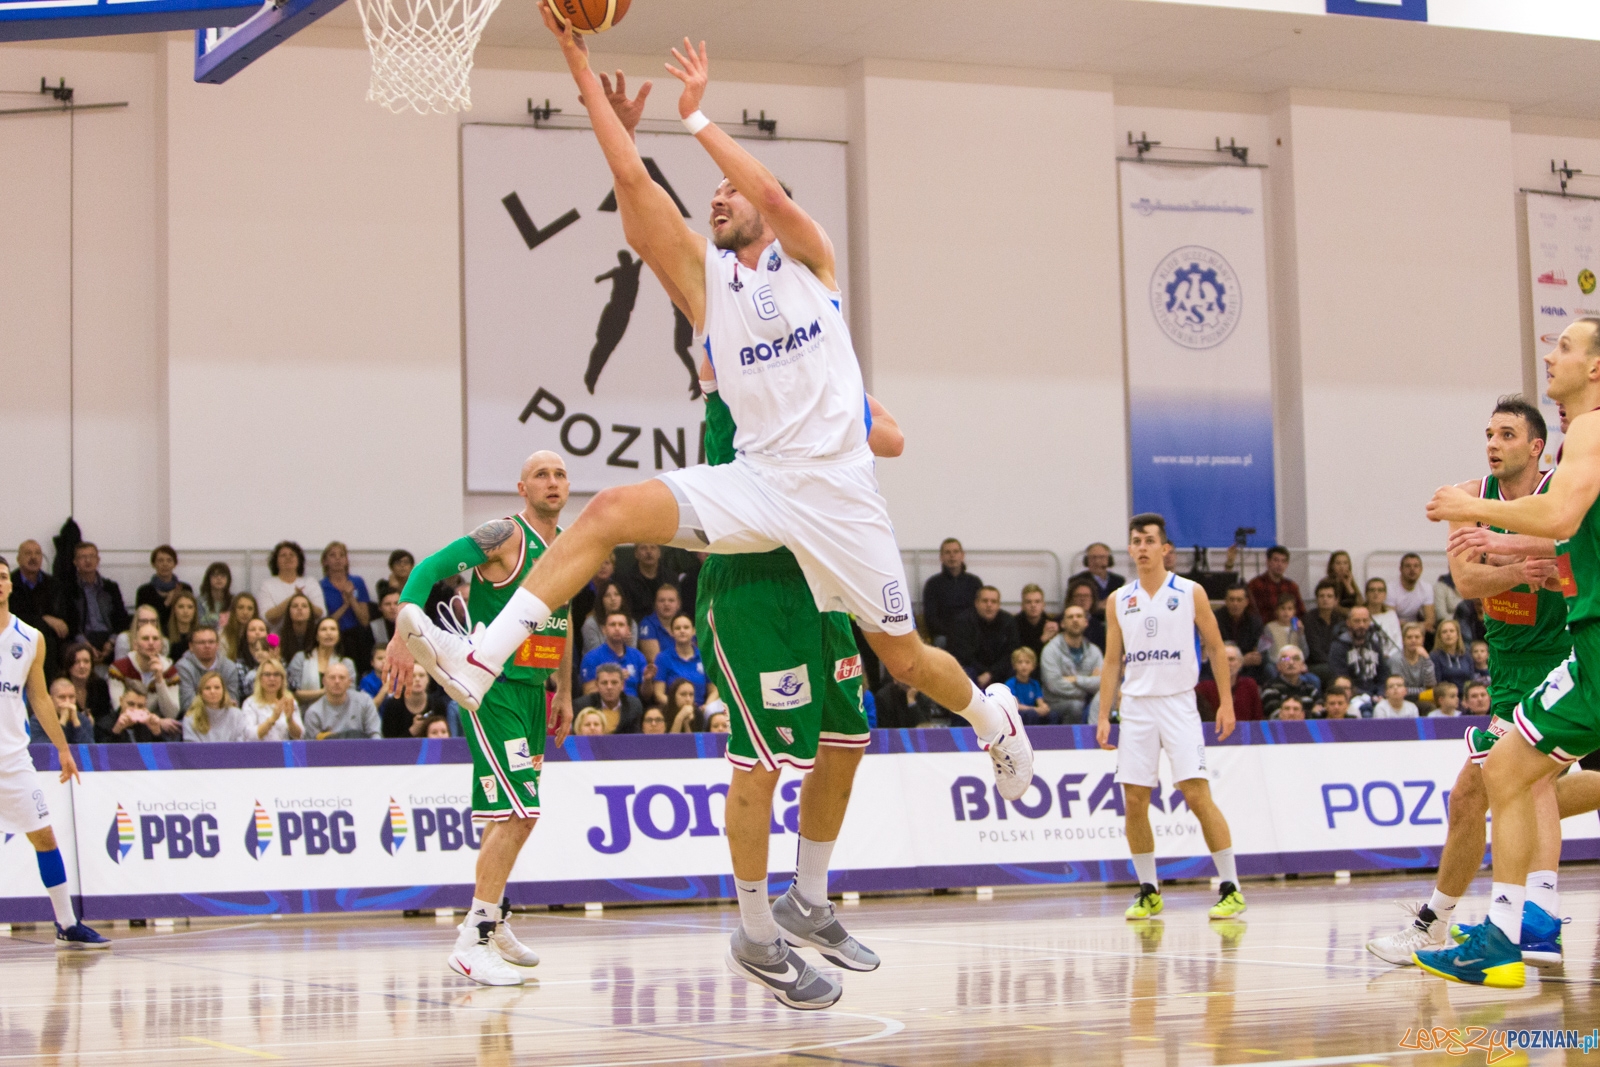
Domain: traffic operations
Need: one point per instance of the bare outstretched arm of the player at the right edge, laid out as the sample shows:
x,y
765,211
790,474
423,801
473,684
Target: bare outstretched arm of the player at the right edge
x,y
1556,513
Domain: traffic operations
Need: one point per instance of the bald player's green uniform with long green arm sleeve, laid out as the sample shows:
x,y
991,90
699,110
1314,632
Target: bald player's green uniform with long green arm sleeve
x,y
506,733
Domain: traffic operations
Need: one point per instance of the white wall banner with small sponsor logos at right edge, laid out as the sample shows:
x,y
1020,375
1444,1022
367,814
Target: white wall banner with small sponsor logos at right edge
x,y
1562,263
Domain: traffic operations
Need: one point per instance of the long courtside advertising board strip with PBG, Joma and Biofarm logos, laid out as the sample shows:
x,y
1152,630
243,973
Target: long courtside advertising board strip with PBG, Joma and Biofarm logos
x,y
385,826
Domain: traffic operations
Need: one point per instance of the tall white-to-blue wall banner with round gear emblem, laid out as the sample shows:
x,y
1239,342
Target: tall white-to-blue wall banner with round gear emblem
x,y
1199,356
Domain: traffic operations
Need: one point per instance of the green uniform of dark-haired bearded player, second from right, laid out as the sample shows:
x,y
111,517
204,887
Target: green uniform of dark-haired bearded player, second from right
x,y
1527,636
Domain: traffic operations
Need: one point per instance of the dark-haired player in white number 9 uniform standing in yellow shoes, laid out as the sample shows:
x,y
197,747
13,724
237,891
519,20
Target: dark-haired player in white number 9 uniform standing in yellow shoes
x,y
1154,628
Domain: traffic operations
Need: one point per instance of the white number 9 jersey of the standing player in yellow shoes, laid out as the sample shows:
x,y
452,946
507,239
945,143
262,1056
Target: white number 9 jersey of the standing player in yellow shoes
x,y
1161,647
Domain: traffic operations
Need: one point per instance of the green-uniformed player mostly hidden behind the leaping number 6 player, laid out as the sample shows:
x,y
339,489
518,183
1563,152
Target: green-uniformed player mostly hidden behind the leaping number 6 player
x,y
756,617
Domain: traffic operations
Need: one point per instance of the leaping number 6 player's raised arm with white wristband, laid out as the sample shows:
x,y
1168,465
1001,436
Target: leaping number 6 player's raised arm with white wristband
x,y
798,231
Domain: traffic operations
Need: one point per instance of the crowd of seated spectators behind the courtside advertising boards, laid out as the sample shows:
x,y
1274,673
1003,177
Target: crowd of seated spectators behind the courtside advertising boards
x,y
303,658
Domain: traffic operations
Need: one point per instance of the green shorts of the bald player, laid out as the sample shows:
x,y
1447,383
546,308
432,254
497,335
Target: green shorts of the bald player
x,y
506,737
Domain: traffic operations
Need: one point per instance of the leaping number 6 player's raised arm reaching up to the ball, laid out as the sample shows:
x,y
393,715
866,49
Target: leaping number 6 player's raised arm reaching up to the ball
x,y
650,220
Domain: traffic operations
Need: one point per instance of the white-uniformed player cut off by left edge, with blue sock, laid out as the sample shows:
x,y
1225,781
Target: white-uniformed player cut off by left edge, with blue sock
x,y
23,809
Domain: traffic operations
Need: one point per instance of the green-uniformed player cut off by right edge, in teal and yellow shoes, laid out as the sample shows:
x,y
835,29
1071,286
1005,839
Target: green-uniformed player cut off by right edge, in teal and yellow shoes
x,y
1559,721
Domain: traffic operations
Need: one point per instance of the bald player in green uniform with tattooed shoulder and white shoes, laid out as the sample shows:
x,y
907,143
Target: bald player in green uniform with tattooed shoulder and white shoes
x,y
506,732
